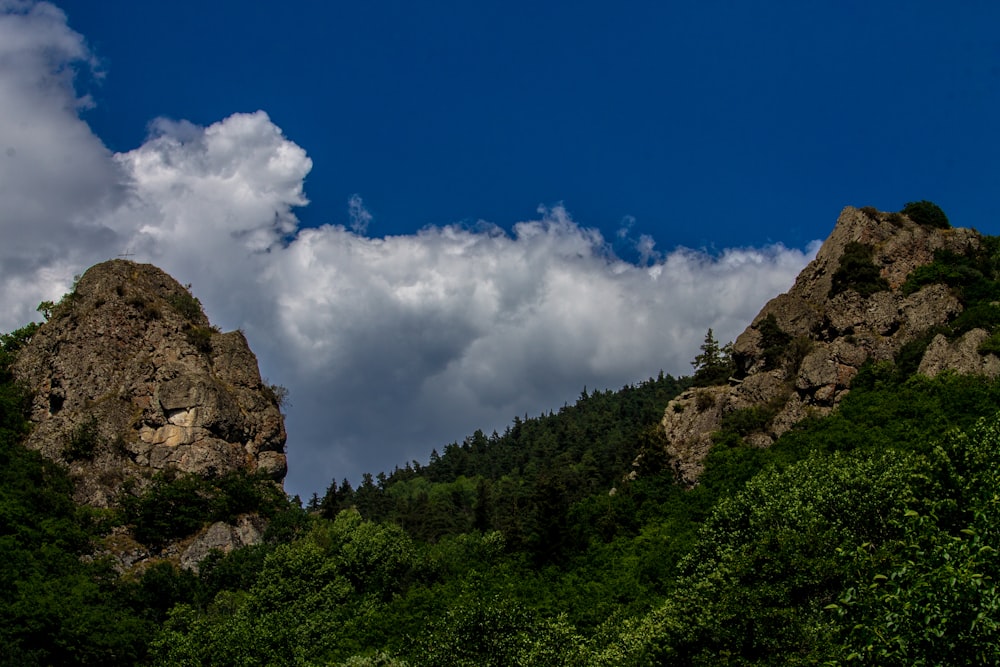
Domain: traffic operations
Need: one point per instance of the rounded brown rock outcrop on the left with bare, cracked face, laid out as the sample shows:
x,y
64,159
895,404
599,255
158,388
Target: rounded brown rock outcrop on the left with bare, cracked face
x,y
128,379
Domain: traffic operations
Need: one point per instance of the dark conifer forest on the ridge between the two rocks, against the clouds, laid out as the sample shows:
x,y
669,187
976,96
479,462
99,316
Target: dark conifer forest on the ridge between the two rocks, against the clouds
x,y
522,482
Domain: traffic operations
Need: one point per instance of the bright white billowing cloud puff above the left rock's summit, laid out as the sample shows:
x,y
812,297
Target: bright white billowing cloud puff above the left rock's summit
x,y
228,187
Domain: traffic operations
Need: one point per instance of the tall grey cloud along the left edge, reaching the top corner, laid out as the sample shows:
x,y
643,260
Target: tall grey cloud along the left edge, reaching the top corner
x,y
55,175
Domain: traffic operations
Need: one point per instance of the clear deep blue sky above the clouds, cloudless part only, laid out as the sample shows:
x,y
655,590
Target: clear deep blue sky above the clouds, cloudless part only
x,y
708,123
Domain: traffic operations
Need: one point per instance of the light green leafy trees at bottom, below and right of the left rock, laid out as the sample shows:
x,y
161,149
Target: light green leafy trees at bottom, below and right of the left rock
x,y
315,600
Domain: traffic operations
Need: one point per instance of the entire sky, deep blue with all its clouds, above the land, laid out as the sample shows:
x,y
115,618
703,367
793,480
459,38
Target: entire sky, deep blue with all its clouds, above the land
x,y
431,217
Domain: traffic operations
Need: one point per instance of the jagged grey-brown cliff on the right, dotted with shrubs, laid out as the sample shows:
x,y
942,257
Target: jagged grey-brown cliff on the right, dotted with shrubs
x,y
827,336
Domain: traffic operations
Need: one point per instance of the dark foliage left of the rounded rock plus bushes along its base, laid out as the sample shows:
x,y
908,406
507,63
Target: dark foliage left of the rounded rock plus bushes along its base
x,y
63,603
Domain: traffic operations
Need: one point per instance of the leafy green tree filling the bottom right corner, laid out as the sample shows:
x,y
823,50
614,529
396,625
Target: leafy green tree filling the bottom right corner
x,y
931,597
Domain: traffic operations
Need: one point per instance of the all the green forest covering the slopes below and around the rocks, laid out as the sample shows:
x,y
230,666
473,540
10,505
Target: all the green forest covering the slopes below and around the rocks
x,y
868,536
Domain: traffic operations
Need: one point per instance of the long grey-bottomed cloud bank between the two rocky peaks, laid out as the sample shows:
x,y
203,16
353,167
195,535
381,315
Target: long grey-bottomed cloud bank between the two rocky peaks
x,y
410,342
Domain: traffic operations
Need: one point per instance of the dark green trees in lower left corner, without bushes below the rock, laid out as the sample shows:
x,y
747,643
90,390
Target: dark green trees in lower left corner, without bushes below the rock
x,y
57,608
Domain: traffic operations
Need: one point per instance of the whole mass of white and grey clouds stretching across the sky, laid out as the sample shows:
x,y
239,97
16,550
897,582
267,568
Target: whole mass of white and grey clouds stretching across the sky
x,y
389,346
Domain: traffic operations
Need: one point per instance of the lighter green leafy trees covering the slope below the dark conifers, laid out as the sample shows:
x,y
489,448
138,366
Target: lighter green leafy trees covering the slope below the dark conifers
x,y
773,559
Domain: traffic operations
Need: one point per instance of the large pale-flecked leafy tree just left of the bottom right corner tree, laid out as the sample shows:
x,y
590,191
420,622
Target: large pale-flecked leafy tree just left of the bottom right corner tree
x,y
754,588
